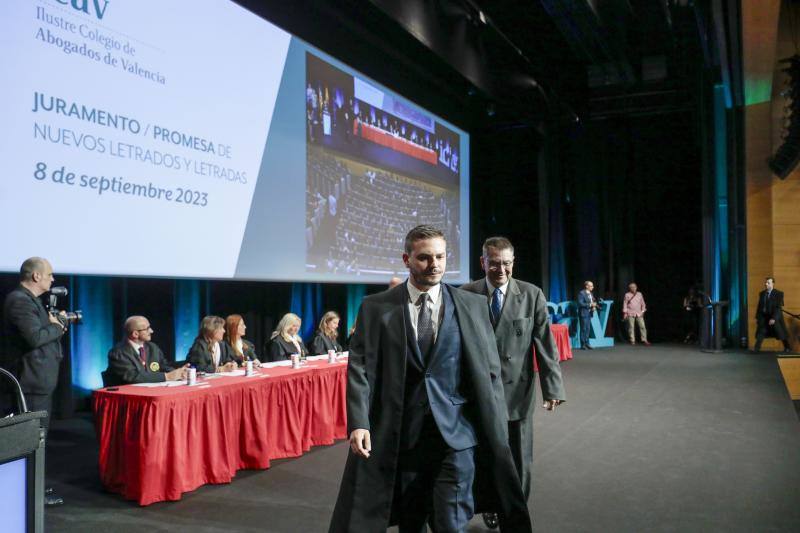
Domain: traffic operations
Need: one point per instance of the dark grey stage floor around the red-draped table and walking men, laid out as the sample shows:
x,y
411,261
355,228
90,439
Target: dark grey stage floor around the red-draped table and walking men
x,y
664,438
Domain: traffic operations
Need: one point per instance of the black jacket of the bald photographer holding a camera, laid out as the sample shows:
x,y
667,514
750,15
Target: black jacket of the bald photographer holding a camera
x,y
32,342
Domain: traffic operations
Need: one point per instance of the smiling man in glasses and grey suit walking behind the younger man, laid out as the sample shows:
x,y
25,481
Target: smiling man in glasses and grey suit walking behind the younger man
x,y
518,311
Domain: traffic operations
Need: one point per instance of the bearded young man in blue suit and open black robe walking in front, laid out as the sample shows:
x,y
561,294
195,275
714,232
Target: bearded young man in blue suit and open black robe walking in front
x,y
424,406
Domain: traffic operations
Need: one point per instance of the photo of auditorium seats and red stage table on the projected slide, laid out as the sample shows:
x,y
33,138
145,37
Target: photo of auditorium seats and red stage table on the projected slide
x,y
376,167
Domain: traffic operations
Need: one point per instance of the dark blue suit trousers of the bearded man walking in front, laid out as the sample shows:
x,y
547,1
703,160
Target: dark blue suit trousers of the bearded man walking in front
x,y
434,484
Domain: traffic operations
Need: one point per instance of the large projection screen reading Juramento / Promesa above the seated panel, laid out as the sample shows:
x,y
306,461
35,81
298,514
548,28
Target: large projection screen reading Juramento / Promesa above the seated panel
x,y
134,144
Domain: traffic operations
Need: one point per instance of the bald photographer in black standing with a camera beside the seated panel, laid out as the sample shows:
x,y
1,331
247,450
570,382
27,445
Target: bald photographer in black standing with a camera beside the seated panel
x,y
33,341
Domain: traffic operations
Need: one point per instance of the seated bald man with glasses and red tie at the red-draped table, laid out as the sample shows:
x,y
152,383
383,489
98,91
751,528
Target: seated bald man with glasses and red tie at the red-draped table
x,y
137,359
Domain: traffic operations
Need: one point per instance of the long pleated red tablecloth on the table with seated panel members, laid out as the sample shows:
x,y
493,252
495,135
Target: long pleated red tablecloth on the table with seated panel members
x,y
157,443
